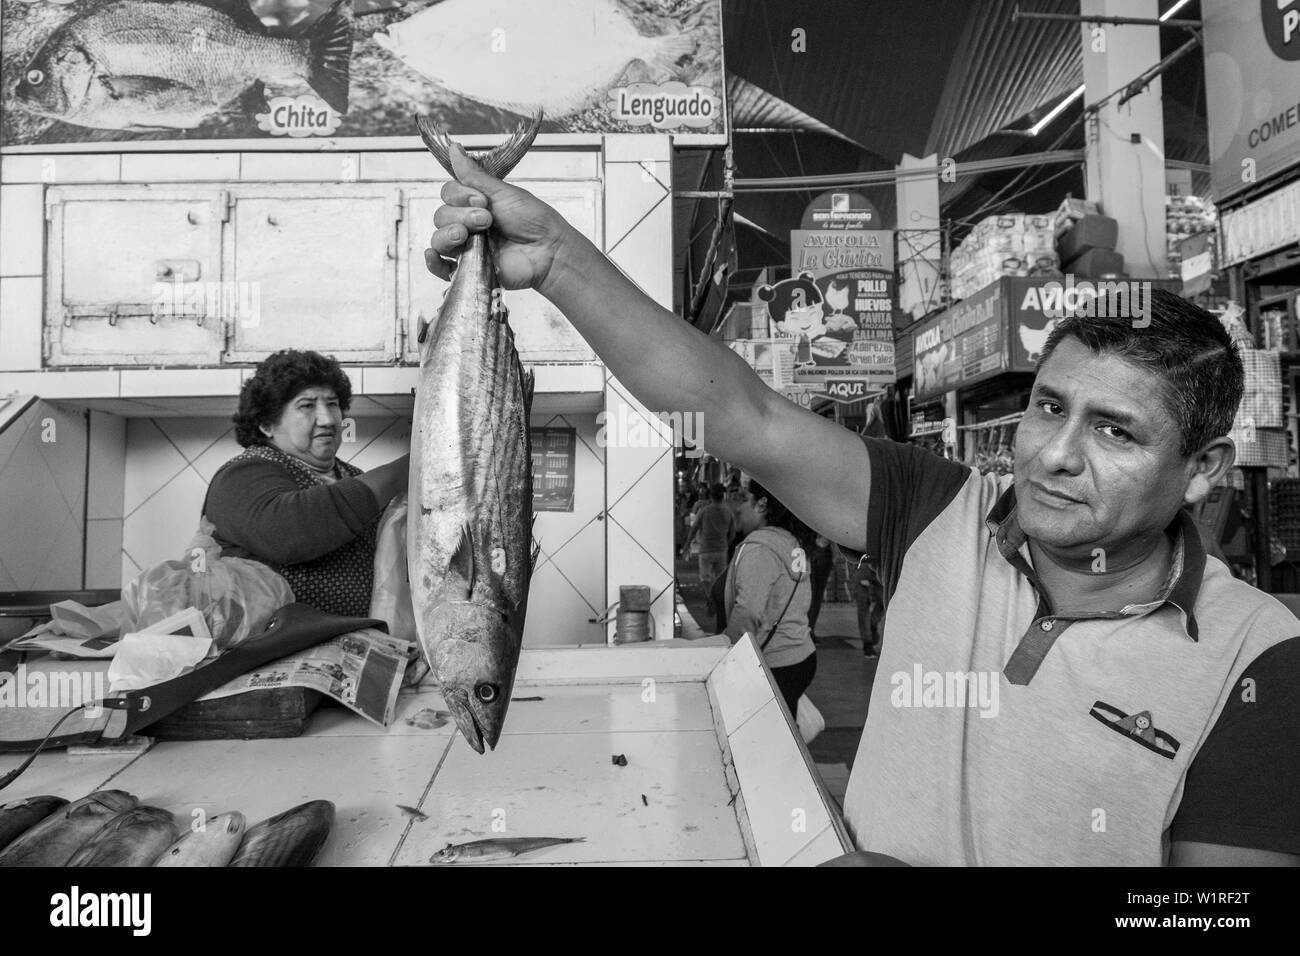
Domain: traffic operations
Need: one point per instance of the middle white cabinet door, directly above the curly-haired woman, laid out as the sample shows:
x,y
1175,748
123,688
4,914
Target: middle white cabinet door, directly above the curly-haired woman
x,y
320,262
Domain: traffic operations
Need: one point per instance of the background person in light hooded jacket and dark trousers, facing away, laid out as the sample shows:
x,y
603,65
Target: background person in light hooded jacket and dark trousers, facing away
x,y
769,592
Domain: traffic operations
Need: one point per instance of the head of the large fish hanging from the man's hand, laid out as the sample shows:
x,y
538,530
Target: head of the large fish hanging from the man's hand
x,y
475,652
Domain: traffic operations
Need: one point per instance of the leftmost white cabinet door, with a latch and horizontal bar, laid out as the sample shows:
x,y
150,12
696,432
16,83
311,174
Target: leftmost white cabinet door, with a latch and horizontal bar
x,y
135,276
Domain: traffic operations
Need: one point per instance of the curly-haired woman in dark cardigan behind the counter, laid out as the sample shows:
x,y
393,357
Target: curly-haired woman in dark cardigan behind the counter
x,y
287,500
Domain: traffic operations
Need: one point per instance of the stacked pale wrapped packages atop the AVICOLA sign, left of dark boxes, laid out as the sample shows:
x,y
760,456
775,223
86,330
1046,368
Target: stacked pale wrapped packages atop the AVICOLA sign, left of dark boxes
x,y
1008,245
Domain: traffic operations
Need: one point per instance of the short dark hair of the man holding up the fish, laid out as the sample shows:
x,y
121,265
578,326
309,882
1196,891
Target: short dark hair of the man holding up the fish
x,y
1197,367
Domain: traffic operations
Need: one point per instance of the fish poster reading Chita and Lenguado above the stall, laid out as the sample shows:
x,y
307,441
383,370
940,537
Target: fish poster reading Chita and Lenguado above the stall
x,y
79,73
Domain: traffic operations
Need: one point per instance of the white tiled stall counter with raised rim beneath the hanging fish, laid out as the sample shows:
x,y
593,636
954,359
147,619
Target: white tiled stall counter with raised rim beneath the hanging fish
x,y
716,773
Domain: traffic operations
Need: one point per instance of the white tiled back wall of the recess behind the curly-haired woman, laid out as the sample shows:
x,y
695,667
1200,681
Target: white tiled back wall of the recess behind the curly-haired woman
x,y
171,461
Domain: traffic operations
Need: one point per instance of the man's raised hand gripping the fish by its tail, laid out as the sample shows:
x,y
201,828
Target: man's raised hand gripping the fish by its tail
x,y
530,235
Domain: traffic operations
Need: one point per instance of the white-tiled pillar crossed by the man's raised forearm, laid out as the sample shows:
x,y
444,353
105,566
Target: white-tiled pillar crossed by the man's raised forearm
x,y
639,475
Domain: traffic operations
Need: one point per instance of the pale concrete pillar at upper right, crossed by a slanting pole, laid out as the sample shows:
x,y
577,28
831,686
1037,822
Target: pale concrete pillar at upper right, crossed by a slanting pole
x,y
1126,178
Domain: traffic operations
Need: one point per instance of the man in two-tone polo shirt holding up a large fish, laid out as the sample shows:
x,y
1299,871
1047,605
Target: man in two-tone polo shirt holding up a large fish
x,y
1128,742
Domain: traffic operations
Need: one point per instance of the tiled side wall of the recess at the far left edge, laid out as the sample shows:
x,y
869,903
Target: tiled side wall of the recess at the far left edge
x,y
44,500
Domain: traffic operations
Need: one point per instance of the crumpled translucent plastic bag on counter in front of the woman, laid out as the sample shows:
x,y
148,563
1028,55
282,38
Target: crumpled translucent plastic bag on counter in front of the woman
x,y
236,596
